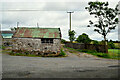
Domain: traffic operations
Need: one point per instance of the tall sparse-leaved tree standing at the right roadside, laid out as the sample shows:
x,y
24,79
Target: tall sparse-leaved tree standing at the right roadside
x,y
107,18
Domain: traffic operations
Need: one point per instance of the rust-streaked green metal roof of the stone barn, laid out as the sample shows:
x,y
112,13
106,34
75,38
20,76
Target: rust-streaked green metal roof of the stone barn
x,y
24,32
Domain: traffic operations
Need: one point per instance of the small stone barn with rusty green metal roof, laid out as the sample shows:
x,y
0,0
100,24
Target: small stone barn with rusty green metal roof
x,y
38,41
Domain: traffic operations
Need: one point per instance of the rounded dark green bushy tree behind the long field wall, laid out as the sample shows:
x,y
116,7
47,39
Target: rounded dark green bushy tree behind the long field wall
x,y
83,38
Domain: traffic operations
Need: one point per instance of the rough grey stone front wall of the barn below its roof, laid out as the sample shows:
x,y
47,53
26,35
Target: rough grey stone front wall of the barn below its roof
x,y
34,46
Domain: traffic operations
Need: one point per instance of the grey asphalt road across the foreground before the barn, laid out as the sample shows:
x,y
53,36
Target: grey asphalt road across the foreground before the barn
x,y
73,66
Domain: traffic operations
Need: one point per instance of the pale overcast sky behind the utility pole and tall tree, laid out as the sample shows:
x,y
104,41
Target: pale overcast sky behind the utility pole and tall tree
x,y
52,14
